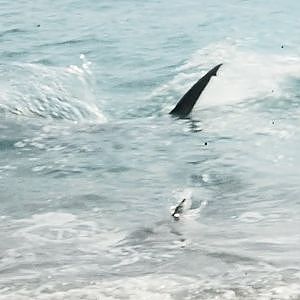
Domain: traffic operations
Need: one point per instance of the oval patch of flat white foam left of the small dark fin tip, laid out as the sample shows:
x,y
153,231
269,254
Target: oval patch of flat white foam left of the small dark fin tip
x,y
59,228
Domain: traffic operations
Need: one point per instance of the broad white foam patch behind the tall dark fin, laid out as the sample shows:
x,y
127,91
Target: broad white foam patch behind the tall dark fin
x,y
244,74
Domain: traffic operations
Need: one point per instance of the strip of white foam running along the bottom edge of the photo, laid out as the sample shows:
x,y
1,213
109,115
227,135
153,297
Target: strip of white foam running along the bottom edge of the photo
x,y
156,287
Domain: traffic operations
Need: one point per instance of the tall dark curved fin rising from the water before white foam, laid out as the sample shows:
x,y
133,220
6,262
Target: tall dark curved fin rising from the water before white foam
x,y
187,102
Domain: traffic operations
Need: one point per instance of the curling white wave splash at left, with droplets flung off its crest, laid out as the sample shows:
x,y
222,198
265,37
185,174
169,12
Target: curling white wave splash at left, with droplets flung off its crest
x,y
35,90
